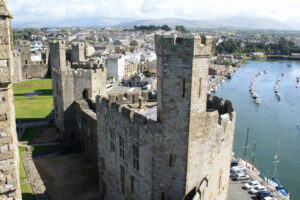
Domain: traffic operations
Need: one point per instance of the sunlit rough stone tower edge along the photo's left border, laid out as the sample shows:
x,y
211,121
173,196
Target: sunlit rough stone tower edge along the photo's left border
x,y
9,157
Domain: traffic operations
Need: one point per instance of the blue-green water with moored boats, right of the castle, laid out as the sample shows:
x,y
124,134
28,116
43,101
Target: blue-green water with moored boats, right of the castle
x,y
271,121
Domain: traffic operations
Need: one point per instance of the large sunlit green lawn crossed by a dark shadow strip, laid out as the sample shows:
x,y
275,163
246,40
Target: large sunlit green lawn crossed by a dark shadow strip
x,y
33,107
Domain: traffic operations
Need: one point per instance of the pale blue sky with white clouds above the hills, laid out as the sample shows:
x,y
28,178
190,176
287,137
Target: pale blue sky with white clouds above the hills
x,y
31,10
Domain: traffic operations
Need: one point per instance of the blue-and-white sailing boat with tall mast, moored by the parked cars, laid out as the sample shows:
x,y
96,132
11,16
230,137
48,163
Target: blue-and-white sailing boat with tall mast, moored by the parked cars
x,y
274,182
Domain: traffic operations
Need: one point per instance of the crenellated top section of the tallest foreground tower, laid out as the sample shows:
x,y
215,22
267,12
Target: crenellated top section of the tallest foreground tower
x,y
183,45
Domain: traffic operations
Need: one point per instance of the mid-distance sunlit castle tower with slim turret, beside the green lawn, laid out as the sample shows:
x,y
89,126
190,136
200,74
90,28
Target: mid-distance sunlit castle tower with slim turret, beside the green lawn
x,y
73,82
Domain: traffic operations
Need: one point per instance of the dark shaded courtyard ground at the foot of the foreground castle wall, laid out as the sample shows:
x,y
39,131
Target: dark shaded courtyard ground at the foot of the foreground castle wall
x,y
69,176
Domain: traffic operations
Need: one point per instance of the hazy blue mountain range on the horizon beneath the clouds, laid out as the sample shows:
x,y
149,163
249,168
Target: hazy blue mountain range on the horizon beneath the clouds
x,y
230,22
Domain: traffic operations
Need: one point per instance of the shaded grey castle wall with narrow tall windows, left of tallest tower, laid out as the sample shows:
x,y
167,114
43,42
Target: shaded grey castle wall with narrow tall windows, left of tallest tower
x,y
115,123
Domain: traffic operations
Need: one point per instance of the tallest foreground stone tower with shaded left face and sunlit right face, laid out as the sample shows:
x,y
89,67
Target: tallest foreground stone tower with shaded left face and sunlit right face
x,y
191,134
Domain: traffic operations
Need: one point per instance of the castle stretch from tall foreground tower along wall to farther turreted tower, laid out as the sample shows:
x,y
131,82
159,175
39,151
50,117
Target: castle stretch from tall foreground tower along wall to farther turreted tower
x,y
173,144
